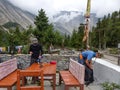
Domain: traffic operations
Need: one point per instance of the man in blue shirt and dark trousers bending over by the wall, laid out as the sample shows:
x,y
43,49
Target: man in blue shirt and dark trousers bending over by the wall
x,y
85,58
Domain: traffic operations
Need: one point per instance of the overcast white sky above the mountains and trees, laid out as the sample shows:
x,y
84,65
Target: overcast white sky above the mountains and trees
x,y
100,7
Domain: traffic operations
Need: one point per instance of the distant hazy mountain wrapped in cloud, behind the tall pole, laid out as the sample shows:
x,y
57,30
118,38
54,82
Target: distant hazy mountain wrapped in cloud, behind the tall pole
x,y
67,21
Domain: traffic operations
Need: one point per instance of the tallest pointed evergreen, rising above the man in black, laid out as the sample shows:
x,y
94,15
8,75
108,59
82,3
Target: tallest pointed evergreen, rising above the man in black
x,y
42,25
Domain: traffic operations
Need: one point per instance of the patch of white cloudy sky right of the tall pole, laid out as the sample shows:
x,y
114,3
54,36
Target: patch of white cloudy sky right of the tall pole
x,y
103,7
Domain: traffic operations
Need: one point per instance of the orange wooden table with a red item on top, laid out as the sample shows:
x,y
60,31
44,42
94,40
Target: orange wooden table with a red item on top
x,y
48,69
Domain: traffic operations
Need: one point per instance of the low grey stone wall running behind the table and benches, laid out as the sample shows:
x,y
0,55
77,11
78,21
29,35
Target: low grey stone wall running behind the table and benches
x,y
24,60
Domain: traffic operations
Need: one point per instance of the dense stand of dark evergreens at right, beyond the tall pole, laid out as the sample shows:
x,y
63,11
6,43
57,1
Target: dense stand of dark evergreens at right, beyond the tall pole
x,y
108,30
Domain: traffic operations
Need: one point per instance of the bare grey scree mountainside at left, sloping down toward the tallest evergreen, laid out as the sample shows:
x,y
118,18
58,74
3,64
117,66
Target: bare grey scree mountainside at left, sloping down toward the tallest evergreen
x,y
10,13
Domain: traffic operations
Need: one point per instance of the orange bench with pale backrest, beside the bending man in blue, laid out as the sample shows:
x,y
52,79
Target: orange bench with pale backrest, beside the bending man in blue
x,y
74,77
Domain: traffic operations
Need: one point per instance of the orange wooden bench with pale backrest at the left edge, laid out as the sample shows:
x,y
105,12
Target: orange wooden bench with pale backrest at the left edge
x,y
8,73
